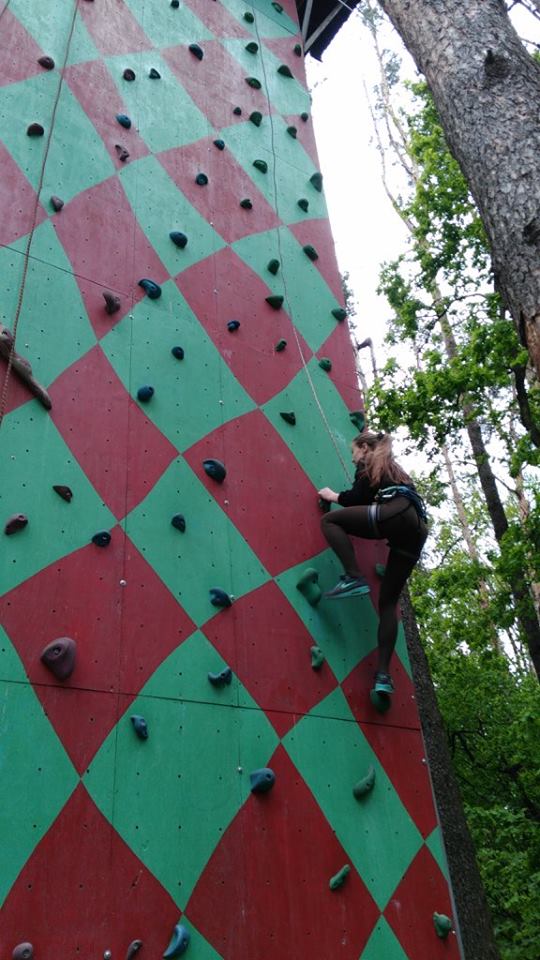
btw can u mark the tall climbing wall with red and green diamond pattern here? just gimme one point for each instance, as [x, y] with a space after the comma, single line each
[176, 143]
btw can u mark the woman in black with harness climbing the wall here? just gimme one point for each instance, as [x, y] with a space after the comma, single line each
[382, 505]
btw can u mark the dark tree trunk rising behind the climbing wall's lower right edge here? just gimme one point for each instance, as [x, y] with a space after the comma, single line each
[471, 905]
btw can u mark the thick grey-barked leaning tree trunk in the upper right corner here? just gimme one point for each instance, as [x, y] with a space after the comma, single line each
[486, 89]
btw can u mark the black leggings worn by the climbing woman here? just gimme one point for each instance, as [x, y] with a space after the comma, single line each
[397, 522]
